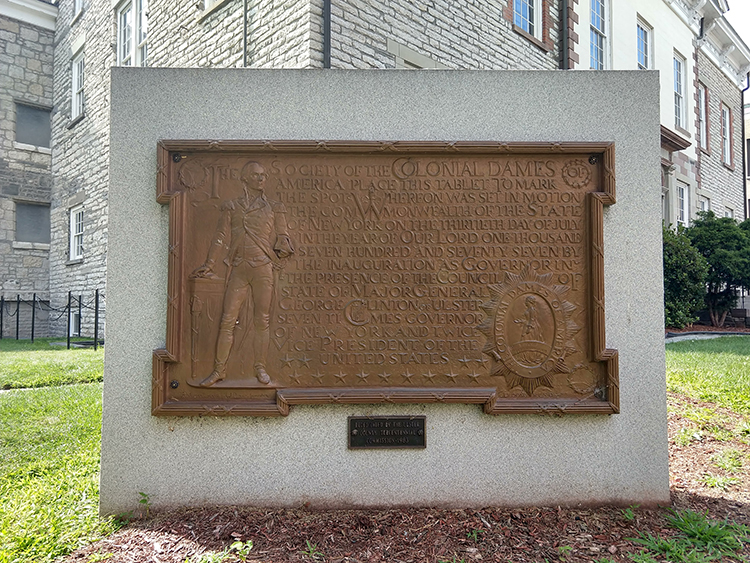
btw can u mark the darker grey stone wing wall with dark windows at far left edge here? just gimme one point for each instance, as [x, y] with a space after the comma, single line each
[26, 52]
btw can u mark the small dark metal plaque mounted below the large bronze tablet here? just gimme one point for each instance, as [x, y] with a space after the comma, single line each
[386, 432]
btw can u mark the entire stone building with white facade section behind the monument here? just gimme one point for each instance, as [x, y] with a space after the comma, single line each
[689, 41]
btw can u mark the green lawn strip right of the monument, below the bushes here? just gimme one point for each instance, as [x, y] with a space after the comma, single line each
[716, 370]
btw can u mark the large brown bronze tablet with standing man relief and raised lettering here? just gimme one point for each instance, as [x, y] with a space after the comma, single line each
[368, 272]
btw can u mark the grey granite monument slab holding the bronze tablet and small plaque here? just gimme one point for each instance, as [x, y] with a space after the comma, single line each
[383, 288]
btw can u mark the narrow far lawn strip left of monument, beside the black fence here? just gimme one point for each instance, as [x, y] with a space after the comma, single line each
[23, 364]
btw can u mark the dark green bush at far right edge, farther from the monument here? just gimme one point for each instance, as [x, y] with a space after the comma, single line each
[726, 247]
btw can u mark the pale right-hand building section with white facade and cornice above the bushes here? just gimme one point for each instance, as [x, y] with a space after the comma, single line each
[704, 66]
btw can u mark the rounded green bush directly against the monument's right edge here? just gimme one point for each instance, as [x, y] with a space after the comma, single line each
[685, 271]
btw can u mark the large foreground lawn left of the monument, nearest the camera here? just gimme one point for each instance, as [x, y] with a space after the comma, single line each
[49, 472]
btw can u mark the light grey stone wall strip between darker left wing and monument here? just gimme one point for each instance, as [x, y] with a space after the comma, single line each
[80, 154]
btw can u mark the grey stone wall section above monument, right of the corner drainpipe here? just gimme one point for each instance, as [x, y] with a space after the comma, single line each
[461, 34]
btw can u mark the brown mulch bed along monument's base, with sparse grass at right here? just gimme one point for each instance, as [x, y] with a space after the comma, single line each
[697, 432]
